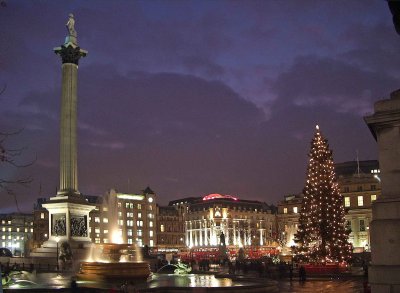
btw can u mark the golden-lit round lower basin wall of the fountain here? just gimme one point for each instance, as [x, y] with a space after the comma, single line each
[139, 271]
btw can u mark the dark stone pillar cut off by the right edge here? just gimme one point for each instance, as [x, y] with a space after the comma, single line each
[384, 272]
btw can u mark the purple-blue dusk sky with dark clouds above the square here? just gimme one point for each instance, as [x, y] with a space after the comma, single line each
[194, 97]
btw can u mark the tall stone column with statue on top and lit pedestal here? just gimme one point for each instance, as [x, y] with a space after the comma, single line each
[69, 210]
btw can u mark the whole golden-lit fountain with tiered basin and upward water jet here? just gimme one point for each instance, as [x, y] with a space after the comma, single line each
[114, 259]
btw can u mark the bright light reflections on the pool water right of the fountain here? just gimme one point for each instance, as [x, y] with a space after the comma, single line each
[192, 280]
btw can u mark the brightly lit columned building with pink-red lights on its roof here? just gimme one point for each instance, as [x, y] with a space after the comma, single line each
[243, 223]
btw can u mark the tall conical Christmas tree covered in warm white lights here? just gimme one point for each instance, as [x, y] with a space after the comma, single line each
[321, 234]
